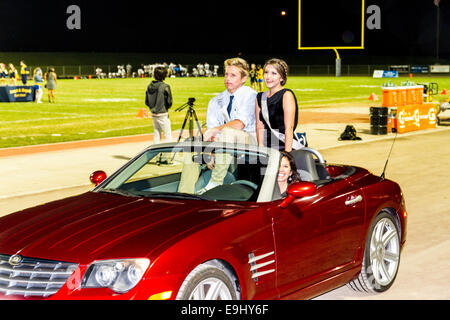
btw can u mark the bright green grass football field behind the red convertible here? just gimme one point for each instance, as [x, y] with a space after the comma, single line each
[90, 109]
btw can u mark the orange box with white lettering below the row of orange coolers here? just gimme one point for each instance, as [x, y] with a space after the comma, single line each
[416, 117]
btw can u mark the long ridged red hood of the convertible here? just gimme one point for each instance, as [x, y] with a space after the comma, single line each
[95, 226]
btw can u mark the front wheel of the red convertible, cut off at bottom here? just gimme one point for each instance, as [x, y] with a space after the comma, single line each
[209, 281]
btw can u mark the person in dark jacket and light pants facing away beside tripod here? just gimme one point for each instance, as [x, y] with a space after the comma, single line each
[159, 99]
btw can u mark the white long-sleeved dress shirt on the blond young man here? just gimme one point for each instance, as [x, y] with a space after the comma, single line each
[242, 108]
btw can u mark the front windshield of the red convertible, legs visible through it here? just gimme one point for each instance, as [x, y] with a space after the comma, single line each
[223, 174]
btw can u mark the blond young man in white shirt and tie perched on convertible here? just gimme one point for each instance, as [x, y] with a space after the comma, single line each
[230, 117]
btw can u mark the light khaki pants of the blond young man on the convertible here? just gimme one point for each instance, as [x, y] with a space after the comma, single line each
[191, 170]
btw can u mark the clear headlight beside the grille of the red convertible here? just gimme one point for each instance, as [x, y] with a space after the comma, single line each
[118, 275]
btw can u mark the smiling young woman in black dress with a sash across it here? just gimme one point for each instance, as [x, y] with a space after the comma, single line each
[282, 108]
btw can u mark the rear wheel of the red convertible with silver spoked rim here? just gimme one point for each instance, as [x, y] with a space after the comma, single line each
[381, 256]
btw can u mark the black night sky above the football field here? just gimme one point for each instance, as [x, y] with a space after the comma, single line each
[407, 27]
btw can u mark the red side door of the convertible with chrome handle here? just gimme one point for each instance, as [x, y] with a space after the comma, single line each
[318, 236]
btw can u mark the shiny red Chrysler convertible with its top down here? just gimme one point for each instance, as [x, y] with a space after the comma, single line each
[136, 236]
